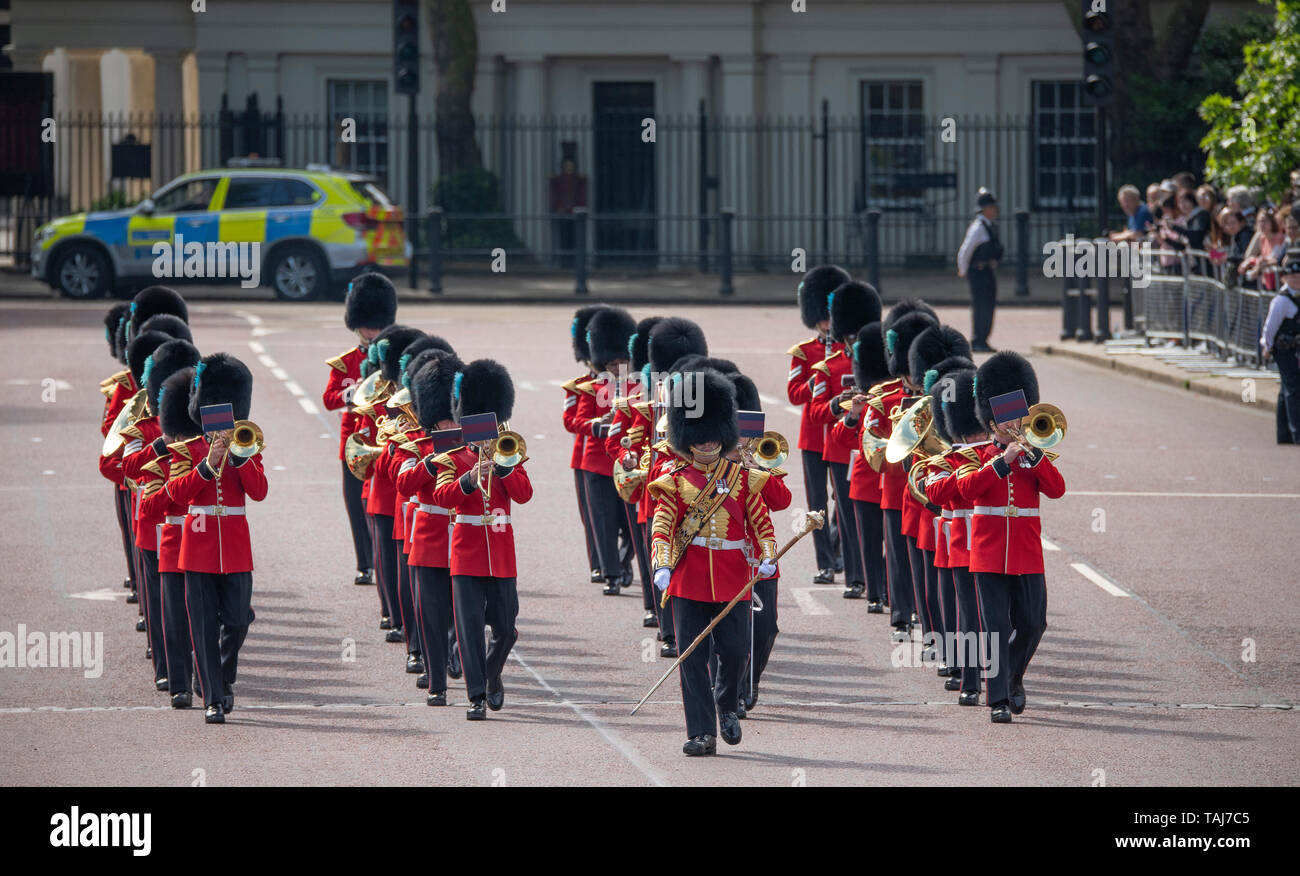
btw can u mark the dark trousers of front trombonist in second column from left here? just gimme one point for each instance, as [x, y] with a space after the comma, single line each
[480, 602]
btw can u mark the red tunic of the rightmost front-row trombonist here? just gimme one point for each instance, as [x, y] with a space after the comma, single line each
[1004, 539]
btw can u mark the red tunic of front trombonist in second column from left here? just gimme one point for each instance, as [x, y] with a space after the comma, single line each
[483, 541]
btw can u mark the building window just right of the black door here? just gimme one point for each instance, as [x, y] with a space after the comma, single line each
[894, 141]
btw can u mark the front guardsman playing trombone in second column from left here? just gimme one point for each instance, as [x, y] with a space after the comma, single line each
[483, 540]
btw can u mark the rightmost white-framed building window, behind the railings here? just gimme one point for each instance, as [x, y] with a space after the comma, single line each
[1065, 144]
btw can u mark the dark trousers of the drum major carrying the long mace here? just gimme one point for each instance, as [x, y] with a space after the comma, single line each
[730, 643]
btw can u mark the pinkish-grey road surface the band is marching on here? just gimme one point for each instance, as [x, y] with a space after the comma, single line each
[1172, 654]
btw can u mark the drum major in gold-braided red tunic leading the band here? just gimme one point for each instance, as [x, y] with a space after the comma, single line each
[710, 530]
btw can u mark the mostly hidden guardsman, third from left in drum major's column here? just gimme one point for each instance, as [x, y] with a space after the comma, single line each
[629, 445]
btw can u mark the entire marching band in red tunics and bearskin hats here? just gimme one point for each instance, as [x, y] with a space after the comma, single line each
[935, 483]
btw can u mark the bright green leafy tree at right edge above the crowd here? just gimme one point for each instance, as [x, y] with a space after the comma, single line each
[1255, 136]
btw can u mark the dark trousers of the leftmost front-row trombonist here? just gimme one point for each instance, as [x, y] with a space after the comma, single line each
[220, 609]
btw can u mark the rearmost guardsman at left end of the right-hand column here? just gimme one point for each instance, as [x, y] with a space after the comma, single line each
[813, 293]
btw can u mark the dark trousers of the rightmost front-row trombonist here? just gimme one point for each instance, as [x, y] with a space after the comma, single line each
[1011, 602]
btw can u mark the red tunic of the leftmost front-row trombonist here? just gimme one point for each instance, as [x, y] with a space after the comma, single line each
[215, 541]
